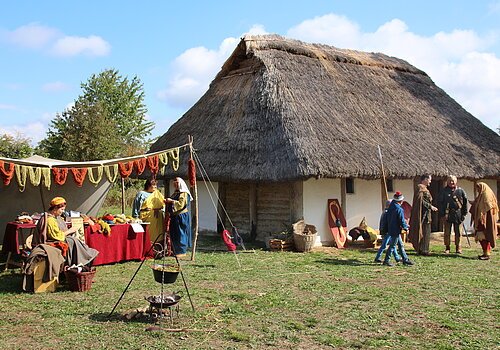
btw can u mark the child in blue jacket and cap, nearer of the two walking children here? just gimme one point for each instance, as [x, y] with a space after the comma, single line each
[394, 221]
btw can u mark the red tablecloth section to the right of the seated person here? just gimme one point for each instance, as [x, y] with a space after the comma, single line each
[122, 245]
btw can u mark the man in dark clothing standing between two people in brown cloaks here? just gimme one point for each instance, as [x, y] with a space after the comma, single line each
[452, 205]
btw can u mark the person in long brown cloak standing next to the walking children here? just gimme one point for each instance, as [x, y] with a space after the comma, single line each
[420, 220]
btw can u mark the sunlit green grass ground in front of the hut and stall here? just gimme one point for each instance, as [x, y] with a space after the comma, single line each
[319, 300]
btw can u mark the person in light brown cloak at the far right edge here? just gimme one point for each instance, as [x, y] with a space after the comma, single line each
[484, 212]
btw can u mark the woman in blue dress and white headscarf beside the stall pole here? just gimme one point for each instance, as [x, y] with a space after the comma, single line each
[180, 221]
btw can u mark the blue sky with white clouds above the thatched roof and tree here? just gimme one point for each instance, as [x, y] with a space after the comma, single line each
[176, 48]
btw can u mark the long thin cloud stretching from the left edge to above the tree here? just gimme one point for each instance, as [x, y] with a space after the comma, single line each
[51, 40]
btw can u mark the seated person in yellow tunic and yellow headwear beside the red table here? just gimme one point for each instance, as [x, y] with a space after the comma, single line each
[76, 252]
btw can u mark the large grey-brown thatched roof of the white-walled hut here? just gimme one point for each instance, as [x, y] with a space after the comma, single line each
[281, 109]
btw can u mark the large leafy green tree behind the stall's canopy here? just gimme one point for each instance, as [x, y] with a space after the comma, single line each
[107, 121]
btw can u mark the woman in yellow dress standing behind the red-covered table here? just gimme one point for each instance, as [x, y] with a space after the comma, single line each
[148, 206]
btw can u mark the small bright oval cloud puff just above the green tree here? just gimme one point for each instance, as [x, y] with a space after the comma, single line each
[73, 46]
